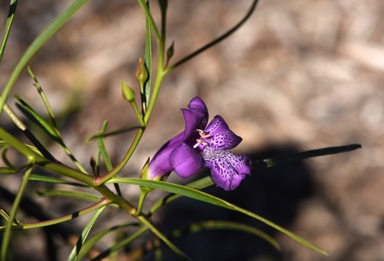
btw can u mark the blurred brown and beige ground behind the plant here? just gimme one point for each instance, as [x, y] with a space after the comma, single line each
[299, 75]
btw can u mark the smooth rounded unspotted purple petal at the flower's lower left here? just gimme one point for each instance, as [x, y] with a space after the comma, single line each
[185, 161]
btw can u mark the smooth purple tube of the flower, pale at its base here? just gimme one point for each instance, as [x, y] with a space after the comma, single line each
[159, 164]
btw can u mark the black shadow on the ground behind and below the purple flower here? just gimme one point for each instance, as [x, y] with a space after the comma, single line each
[273, 193]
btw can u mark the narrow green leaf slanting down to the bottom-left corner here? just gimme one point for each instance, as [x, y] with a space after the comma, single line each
[12, 216]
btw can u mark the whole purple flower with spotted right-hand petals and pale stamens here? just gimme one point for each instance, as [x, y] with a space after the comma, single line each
[200, 145]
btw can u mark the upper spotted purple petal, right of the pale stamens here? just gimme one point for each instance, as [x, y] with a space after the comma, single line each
[221, 137]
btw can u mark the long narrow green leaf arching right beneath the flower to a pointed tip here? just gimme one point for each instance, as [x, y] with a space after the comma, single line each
[202, 196]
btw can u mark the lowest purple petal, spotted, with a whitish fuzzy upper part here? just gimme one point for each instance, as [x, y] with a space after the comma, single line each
[227, 169]
